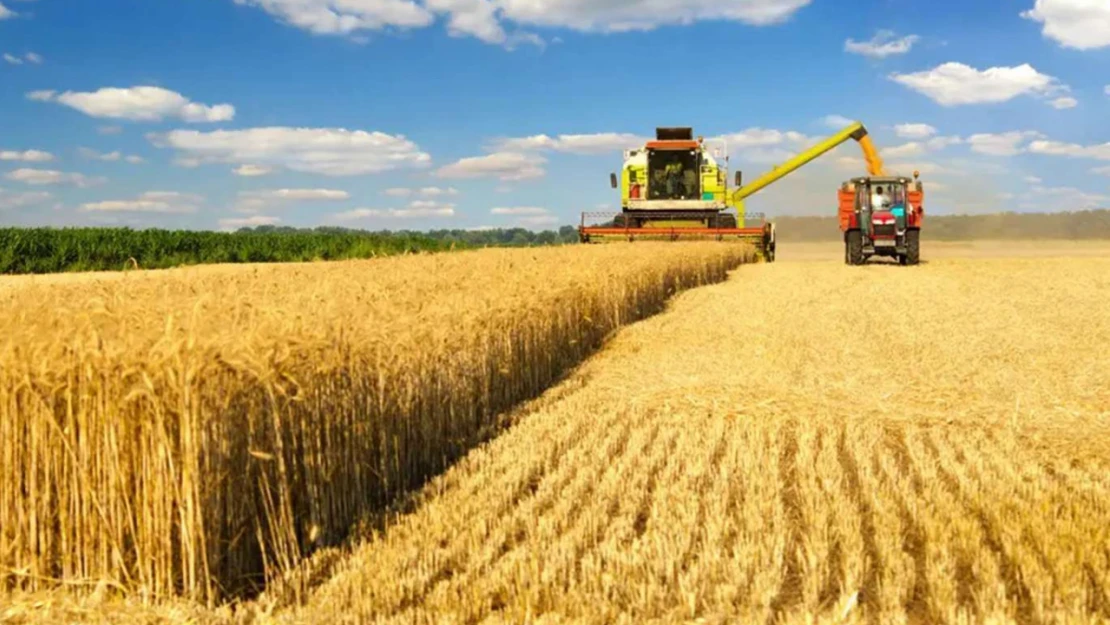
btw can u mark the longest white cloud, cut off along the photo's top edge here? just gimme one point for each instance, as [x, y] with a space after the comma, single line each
[501, 22]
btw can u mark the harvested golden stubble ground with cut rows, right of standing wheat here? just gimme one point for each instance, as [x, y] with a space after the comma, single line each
[804, 443]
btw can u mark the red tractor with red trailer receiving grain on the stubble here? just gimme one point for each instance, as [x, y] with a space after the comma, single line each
[882, 217]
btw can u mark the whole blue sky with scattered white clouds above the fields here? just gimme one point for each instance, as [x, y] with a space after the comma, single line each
[470, 114]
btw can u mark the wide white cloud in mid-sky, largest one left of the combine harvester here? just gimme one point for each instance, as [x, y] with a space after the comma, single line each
[329, 152]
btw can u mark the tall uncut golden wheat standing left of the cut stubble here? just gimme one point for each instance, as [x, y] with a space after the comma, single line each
[184, 432]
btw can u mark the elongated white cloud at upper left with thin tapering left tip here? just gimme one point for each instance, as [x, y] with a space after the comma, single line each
[138, 104]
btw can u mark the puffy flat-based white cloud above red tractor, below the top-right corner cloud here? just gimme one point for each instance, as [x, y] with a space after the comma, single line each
[951, 85]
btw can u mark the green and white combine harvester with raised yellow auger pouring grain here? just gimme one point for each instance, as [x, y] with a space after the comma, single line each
[677, 188]
